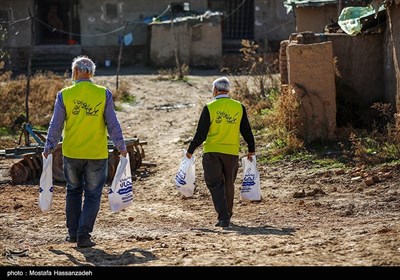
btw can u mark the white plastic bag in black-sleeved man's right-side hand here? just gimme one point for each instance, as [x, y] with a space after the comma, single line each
[251, 189]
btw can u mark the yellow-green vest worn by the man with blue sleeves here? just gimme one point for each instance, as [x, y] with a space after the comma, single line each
[85, 132]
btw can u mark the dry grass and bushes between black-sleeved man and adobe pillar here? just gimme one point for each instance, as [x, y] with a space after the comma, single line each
[272, 112]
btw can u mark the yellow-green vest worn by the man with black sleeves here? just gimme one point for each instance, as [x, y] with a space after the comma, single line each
[224, 132]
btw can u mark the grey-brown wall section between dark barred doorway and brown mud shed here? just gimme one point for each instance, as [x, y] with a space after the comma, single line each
[271, 21]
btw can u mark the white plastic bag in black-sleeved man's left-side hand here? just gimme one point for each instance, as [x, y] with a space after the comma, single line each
[186, 175]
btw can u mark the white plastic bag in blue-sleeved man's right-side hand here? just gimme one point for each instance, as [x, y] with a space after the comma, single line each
[120, 194]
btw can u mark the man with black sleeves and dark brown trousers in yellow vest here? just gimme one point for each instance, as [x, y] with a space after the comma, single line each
[220, 124]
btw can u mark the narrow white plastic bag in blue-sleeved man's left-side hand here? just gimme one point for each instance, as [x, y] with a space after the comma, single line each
[46, 184]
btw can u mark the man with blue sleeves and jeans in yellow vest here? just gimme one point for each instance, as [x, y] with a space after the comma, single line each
[83, 114]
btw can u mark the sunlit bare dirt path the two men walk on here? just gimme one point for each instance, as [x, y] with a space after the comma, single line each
[336, 221]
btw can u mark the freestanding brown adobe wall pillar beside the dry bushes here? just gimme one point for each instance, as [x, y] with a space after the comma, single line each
[311, 71]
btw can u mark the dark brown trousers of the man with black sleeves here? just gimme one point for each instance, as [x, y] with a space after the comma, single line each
[220, 171]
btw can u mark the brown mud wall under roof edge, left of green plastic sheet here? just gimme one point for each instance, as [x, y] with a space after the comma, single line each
[315, 18]
